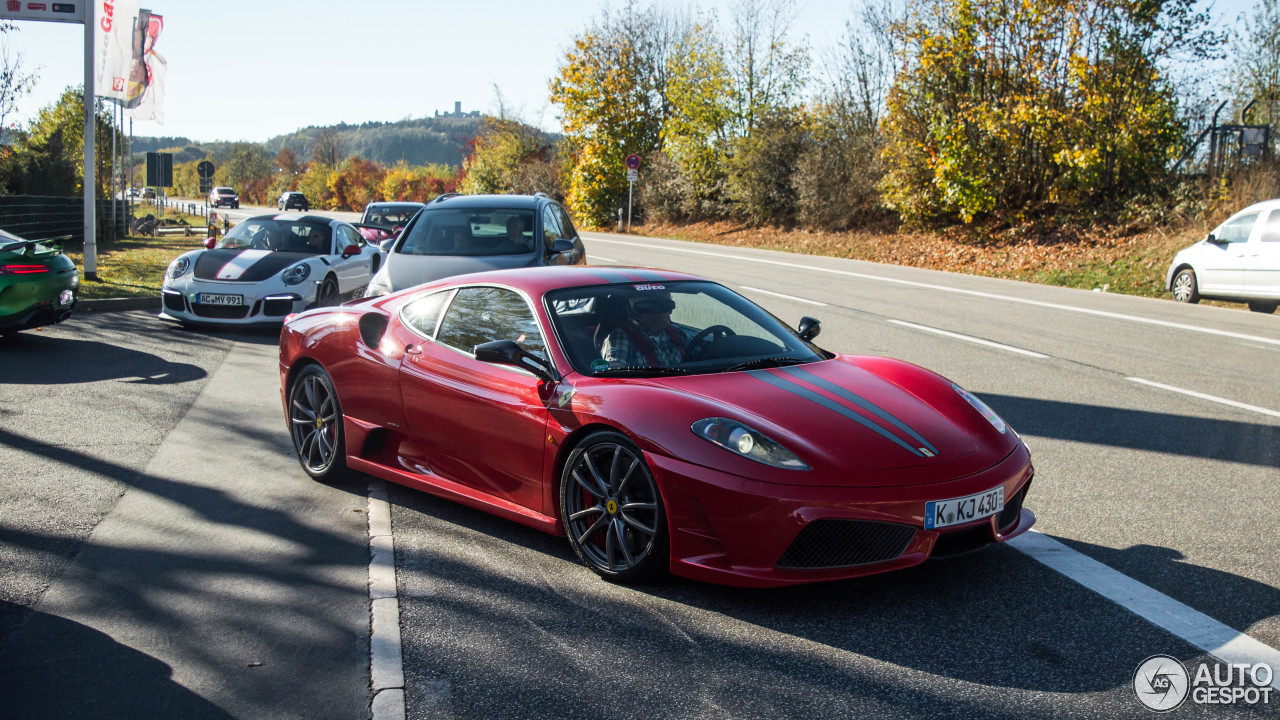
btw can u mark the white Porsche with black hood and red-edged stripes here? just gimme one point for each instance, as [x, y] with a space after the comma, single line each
[268, 267]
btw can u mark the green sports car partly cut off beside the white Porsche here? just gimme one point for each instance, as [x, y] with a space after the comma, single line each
[38, 284]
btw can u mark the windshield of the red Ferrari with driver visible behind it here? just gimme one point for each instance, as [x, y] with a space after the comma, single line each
[670, 329]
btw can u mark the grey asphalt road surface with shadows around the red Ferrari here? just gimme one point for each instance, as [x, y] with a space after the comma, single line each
[156, 527]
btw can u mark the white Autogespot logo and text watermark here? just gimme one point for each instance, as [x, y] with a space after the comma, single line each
[1163, 683]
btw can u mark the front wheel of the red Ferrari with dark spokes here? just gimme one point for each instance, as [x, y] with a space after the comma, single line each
[612, 511]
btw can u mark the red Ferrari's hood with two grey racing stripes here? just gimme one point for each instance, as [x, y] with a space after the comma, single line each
[852, 425]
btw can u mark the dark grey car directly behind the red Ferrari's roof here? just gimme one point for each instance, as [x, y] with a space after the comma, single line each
[469, 234]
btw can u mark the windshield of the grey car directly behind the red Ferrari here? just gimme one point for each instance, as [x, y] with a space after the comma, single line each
[472, 233]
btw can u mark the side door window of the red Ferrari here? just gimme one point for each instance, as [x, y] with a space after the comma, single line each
[486, 315]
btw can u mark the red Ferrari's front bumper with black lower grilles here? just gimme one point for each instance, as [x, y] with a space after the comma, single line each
[738, 532]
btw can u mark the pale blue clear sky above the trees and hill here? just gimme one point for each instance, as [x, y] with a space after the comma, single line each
[252, 71]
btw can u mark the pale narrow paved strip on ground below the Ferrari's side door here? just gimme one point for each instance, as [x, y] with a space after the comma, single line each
[386, 658]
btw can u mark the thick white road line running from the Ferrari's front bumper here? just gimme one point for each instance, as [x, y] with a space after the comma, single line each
[1192, 626]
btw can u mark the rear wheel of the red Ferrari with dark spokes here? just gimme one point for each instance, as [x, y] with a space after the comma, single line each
[316, 426]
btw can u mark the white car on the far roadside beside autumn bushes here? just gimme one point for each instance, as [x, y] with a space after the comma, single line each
[1240, 262]
